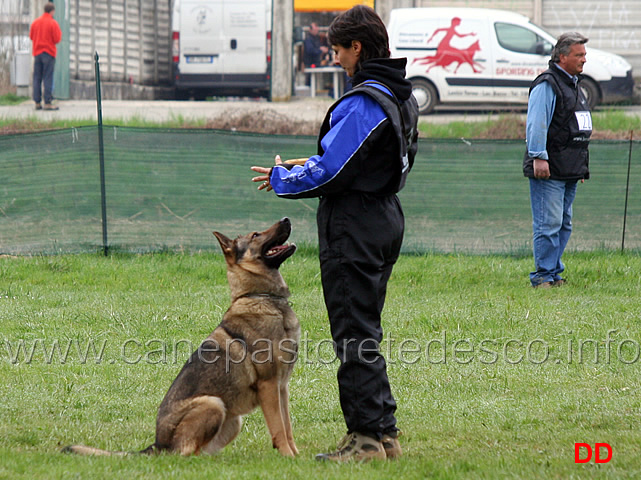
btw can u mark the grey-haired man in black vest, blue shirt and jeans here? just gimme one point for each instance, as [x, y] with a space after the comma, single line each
[558, 131]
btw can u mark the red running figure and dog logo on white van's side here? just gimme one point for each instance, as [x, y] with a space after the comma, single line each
[446, 54]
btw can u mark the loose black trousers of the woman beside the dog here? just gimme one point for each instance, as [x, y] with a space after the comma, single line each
[360, 239]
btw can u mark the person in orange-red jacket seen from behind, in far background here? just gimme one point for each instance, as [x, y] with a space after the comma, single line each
[45, 33]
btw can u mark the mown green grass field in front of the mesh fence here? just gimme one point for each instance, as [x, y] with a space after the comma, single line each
[493, 378]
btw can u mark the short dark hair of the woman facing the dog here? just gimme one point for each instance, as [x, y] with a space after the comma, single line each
[363, 24]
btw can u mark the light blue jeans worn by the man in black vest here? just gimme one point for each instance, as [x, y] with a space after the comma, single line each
[551, 202]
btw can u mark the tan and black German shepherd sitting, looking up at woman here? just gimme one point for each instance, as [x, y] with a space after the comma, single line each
[245, 362]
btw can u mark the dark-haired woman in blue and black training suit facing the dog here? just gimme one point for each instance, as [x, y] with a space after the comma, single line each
[366, 148]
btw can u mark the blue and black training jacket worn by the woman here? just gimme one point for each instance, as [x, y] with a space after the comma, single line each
[366, 144]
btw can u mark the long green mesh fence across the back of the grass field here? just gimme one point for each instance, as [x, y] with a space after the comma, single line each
[170, 188]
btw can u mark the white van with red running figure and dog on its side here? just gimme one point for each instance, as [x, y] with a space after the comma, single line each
[476, 55]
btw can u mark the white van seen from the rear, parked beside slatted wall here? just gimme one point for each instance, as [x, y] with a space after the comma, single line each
[221, 47]
